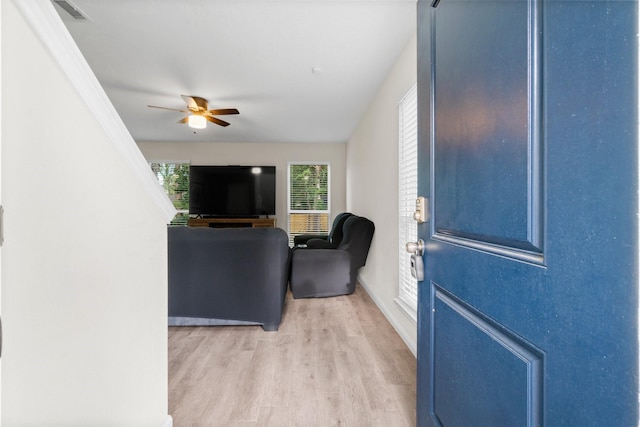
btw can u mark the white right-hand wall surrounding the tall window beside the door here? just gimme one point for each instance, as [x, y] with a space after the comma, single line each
[372, 189]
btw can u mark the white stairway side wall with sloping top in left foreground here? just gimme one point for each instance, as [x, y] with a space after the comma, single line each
[84, 260]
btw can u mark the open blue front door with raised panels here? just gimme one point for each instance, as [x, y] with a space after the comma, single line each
[528, 314]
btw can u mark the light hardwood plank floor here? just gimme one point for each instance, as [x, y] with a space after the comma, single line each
[333, 362]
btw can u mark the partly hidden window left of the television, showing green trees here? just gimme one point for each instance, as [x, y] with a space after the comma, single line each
[174, 178]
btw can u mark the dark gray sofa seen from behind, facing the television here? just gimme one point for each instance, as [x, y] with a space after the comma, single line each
[227, 276]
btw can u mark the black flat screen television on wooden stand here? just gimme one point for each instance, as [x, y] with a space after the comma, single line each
[232, 191]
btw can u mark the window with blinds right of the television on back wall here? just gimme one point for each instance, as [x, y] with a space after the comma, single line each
[308, 199]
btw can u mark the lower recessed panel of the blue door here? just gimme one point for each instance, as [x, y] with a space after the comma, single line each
[510, 395]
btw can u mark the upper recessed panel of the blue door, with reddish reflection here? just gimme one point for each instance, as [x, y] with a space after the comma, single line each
[482, 124]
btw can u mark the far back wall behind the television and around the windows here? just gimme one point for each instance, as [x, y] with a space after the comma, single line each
[268, 154]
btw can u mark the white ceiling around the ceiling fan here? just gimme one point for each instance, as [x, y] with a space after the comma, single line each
[298, 70]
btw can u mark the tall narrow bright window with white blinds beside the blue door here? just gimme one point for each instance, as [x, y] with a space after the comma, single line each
[408, 192]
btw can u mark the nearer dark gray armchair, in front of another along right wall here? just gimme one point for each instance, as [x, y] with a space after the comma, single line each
[332, 272]
